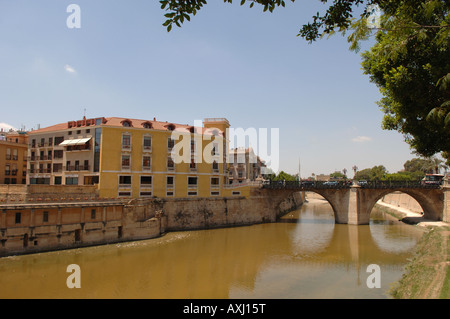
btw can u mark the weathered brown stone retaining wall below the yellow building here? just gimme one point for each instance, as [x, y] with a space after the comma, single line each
[46, 226]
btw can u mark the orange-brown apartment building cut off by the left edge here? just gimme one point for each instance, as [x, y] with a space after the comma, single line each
[13, 157]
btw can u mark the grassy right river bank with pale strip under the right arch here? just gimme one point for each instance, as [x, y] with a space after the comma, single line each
[427, 275]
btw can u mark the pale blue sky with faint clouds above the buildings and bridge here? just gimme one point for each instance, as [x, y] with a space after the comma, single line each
[229, 61]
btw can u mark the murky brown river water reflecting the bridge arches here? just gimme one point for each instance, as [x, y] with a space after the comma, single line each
[304, 255]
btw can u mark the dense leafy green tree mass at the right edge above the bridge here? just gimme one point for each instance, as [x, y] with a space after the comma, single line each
[411, 67]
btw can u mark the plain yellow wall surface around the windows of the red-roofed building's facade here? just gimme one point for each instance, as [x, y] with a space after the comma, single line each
[111, 168]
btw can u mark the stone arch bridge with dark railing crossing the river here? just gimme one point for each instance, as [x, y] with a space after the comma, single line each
[352, 204]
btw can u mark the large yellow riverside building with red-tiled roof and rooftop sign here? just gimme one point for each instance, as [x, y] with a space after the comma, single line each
[130, 158]
